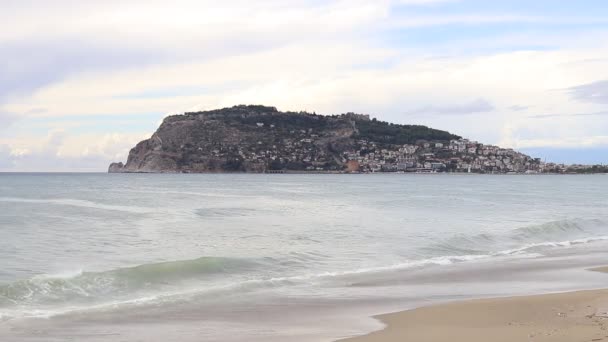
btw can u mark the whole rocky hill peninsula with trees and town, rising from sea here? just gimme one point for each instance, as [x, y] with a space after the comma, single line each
[262, 139]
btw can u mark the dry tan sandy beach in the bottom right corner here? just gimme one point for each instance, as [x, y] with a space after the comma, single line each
[563, 317]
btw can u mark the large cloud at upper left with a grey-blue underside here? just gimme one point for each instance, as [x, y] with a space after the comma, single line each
[48, 44]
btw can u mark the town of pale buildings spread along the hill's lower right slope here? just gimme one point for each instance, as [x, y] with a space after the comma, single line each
[457, 155]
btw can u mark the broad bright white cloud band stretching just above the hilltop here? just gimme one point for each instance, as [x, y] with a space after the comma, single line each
[340, 78]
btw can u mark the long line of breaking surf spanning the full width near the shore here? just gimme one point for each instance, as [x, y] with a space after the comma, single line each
[211, 276]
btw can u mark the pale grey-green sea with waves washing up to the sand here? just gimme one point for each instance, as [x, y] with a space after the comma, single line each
[281, 257]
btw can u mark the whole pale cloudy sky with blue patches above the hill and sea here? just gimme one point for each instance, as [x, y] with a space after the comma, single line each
[81, 82]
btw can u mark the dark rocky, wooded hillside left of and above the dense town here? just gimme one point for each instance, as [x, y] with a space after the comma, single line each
[260, 139]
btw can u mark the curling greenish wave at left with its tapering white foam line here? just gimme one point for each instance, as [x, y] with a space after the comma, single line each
[52, 295]
